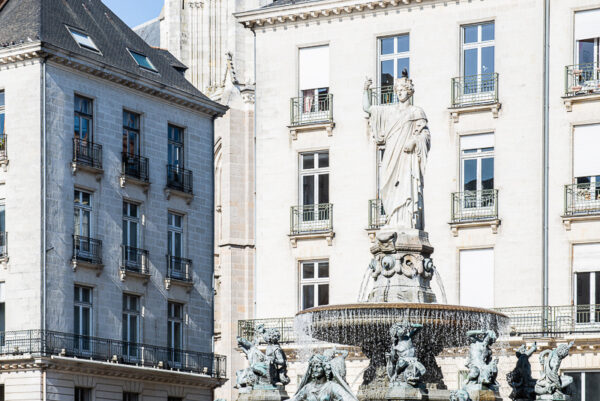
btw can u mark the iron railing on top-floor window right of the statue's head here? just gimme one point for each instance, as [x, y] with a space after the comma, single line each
[474, 89]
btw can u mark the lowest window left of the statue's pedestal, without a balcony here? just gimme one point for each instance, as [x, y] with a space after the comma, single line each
[314, 283]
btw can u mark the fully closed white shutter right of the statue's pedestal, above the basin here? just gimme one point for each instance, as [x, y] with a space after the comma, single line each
[477, 277]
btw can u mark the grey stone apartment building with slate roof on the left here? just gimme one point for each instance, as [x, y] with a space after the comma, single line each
[106, 274]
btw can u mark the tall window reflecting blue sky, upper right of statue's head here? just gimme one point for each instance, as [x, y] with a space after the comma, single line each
[478, 57]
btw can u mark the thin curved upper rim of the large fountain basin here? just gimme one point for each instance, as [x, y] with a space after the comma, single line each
[400, 305]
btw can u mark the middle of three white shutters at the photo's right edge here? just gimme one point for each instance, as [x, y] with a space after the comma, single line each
[586, 142]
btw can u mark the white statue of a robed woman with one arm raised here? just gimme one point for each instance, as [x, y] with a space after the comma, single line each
[402, 128]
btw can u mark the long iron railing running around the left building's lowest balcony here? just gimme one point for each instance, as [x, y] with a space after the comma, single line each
[43, 343]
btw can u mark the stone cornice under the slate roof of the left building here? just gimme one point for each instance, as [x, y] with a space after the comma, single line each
[38, 50]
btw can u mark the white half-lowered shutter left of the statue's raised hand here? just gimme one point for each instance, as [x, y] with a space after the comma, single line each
[314, 67]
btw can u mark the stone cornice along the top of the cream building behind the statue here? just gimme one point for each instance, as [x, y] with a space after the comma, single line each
[315, 10]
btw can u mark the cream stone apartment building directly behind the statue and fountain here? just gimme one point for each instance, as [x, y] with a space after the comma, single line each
[510, 190]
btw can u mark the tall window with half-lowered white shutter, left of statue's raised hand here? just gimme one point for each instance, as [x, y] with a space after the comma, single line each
[314, 78]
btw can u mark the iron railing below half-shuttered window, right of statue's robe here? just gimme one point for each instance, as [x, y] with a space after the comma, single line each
[474, 205]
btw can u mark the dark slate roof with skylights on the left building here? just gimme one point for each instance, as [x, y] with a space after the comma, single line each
[24, 21]
